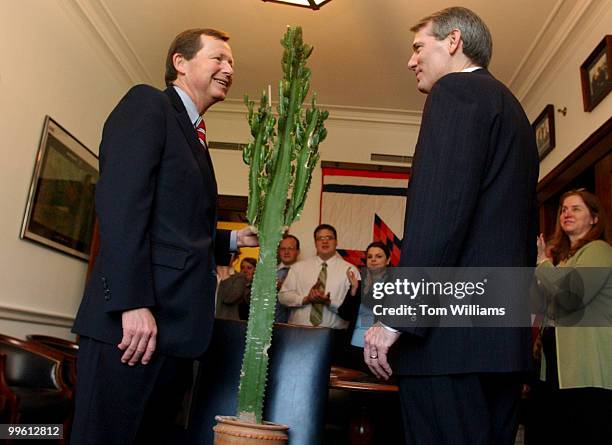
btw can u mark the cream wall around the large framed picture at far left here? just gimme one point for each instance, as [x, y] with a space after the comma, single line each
[50, 64]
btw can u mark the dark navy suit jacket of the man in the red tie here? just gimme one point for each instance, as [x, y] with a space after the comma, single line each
[156, 201]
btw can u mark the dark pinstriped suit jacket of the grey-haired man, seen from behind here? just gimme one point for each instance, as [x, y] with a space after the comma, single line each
[471, 202]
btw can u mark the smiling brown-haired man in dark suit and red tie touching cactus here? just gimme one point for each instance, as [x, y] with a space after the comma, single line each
[148, 307]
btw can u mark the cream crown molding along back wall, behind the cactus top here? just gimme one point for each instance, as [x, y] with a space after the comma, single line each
[339, 113]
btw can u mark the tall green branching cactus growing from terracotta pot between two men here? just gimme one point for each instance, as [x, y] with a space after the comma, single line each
[281, 156]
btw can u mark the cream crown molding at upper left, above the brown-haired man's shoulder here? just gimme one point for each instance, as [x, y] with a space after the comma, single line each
[96, 17]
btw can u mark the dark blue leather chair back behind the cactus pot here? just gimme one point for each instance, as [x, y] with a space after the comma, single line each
[297, 385]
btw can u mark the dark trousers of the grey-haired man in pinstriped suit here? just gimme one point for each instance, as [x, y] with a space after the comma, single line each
[462, 409]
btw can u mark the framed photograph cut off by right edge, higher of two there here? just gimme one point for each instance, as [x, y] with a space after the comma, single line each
[595, 74]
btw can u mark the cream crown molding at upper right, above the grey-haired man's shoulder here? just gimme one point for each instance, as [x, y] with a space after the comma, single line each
[562, 28]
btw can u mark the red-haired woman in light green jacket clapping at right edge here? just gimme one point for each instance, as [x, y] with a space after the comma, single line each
[577, 360]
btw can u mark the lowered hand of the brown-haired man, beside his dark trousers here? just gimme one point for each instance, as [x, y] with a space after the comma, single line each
[139, 336]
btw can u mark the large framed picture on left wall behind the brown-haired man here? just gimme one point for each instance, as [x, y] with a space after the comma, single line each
[60, 210]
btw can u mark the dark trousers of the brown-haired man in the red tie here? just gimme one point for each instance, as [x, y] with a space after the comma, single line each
[121, 404]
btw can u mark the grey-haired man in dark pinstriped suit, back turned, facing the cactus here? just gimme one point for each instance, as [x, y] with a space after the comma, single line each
[471, 202]
